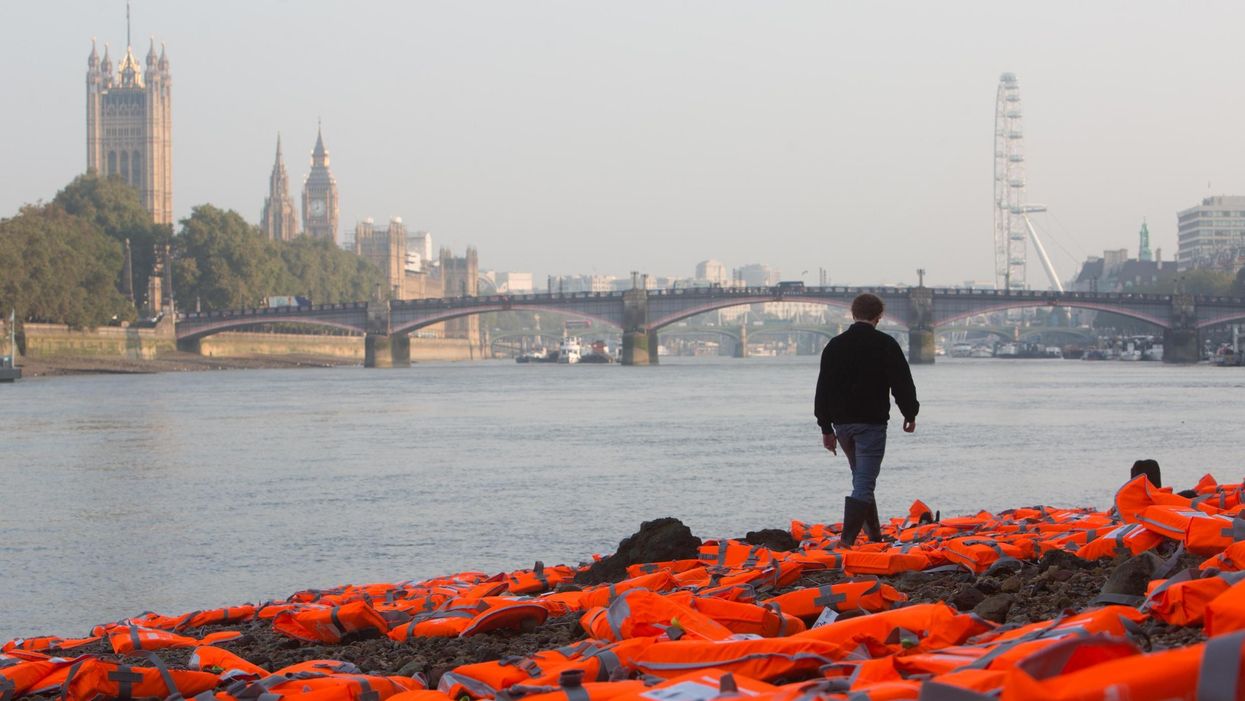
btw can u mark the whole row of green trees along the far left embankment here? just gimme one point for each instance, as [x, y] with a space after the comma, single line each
[65, 261]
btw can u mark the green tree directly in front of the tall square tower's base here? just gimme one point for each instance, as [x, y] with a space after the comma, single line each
[116, 209]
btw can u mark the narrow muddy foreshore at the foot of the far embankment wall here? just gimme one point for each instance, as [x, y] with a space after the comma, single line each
[42, 368]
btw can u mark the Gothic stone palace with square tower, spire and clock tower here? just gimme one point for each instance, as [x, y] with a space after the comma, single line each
[130, 135]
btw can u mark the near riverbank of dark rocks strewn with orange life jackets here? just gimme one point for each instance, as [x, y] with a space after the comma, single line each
[987, 603]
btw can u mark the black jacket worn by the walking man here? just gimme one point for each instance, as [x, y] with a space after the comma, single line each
[860, 369]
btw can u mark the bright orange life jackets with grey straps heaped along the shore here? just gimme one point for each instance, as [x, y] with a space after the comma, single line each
[729, 623]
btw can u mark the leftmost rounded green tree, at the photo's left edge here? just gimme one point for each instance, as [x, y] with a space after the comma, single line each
[59, 268]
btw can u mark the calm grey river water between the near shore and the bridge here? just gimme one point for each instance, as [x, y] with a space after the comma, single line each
[186, 491]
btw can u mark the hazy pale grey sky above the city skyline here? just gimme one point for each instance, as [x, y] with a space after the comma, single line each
[577, 138]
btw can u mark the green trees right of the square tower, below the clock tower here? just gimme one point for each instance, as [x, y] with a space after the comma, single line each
[221, 262]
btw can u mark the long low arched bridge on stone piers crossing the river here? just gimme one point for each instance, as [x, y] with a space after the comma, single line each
[641, 314]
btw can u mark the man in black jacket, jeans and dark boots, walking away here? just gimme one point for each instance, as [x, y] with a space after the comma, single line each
[860, 369]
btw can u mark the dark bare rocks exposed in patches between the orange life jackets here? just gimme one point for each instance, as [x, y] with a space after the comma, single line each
[1012, 593]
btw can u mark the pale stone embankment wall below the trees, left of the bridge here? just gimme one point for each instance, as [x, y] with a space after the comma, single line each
[58, 341]
